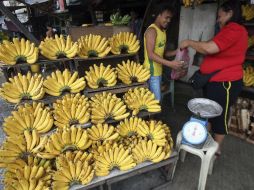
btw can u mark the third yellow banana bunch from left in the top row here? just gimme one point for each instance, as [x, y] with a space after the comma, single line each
[93, 46]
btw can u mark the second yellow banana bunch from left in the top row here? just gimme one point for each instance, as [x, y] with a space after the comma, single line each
[54, 48]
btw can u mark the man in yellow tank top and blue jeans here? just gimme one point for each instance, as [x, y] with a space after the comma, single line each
[154, 44]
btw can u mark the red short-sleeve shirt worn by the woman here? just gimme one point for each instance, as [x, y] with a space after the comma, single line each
[232, 41]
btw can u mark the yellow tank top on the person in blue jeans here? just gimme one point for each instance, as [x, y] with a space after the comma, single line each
[160, 43]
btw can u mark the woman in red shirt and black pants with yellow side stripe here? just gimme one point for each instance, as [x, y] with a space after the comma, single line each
[224, 53]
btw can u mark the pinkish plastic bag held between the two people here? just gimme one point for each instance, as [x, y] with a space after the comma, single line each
[181, 55]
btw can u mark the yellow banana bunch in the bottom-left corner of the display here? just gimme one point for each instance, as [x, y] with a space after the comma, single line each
[33, 174]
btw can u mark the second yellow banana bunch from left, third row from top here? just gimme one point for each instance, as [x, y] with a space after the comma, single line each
[71, 109]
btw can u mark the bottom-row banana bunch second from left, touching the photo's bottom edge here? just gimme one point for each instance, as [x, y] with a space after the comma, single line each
[72, 169]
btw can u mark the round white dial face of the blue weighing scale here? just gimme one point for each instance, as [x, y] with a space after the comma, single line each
[194, 132]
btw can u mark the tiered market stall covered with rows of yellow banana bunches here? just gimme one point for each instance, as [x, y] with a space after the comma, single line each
[76, 116]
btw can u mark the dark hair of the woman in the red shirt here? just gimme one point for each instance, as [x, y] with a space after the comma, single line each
[235, 7]
